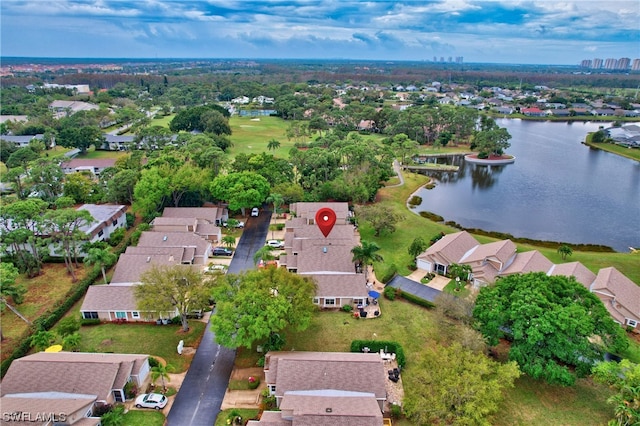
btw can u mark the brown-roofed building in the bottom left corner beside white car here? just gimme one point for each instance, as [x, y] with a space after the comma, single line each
[68, 388]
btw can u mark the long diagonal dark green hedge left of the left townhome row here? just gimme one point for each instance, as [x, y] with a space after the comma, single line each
[48, 319]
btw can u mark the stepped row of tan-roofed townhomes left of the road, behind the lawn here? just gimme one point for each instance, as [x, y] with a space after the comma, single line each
[181, 236]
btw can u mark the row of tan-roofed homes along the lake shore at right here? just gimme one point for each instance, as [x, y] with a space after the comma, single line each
[490, 261]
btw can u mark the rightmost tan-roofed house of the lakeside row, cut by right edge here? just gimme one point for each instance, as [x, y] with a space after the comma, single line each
[620, 296]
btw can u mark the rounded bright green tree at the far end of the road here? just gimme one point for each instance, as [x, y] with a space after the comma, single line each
[241, 190]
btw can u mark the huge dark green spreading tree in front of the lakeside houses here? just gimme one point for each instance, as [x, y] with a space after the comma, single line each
[553, 323]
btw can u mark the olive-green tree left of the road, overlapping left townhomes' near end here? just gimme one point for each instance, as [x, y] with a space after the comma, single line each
[179, 287]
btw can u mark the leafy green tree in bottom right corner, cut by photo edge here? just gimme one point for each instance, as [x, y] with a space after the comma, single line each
[624, 378]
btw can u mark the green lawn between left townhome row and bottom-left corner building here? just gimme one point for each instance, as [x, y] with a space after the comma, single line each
[155, 340]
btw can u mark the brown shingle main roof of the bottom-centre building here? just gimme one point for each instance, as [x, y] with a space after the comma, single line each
[349, 371]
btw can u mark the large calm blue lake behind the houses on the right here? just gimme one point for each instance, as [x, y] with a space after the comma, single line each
[558, 189]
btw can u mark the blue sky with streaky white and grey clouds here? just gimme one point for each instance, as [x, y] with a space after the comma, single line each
[510, 31]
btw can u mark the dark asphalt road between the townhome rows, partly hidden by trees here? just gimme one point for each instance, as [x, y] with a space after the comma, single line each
[200, 397]
